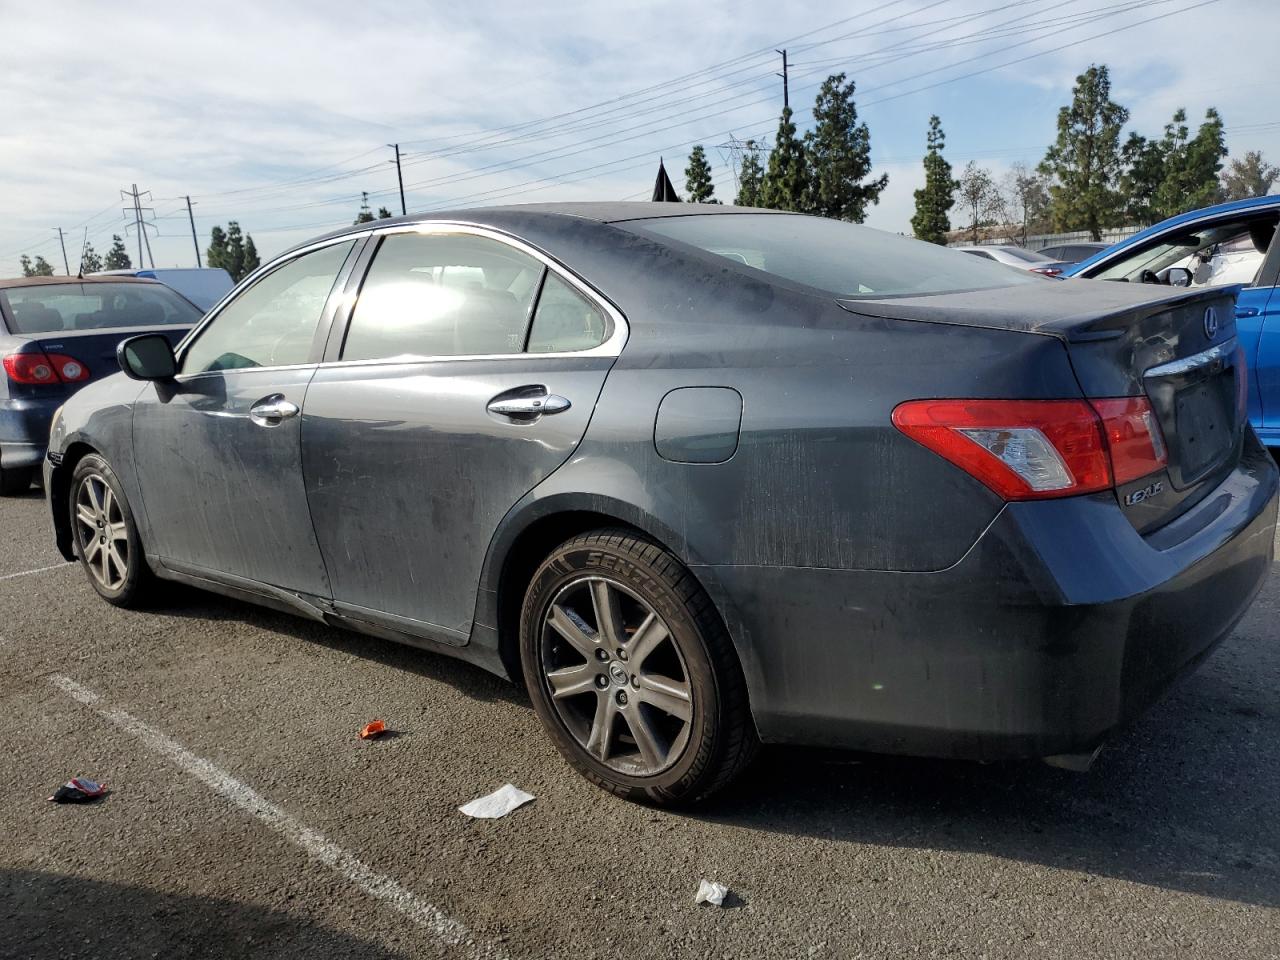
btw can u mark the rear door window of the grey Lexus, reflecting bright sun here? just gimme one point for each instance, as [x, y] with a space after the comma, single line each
[444, 296]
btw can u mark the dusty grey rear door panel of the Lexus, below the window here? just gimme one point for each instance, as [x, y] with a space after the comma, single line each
[409, 474]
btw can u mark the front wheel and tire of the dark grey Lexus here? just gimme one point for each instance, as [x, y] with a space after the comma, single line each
[107, 536]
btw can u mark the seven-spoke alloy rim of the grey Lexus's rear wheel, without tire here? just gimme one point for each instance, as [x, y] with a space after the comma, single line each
[616, 676]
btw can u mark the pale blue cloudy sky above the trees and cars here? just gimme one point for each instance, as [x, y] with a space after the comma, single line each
[278, 116]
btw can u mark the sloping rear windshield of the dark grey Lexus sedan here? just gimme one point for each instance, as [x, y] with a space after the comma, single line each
[835, 257]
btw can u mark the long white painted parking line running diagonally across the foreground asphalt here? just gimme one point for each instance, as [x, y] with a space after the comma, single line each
[360, 875]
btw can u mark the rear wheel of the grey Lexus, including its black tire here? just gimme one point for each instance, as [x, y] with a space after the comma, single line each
[633, 673]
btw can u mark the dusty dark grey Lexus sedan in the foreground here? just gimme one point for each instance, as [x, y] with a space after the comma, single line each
[701, 477]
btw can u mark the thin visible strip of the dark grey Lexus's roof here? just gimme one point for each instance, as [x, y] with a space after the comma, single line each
[602, 213]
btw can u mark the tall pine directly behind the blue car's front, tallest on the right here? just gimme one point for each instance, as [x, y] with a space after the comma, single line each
[1086, 162]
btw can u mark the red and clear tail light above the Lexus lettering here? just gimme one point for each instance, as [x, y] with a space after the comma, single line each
[1035, 450]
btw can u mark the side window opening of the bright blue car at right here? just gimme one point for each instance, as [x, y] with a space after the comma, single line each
[1217, 255]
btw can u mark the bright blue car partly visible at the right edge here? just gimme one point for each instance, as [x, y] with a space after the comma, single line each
[1224, 245]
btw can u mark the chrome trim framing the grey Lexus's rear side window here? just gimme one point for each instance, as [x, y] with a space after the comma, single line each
[610, 348]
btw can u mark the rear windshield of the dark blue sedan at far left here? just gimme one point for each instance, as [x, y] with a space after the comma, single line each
[94, 307]
